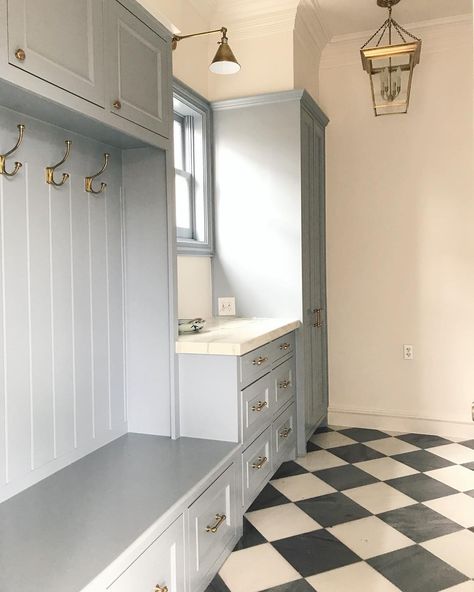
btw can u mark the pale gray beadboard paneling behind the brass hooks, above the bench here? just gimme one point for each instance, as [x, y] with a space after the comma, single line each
[62, 387]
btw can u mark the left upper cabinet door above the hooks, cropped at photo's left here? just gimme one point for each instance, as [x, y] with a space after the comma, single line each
[60, 41]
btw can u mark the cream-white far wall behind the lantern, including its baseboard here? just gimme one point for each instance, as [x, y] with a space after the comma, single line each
[400, 216]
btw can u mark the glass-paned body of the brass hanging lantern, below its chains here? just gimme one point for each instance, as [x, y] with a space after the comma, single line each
[390, 69]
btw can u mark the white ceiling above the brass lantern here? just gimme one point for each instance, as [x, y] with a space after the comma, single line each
[343, 17]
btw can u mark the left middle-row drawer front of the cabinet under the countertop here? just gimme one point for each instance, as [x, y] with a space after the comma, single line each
[257, 406]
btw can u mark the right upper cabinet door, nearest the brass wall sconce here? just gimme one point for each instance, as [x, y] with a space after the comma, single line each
[139, 70]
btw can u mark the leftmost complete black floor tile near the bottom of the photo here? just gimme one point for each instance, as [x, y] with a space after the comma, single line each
[315, 552]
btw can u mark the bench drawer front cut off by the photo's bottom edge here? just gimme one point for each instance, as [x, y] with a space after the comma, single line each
[159, 567]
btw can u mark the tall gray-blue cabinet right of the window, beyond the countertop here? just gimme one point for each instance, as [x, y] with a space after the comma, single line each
[270, 226]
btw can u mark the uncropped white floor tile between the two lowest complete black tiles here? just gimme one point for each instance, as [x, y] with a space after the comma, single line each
[370, 537]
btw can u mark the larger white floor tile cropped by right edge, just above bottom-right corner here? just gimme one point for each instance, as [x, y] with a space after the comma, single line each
[457, 549]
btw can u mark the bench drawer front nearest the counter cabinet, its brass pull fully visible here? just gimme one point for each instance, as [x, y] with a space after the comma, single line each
[212, 526]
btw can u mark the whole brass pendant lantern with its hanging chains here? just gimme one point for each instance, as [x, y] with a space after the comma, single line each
[390, 66]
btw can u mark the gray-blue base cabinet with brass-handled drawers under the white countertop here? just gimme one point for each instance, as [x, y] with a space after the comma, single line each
[248, 399]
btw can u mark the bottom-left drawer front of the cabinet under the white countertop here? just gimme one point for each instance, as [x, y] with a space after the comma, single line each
[256, 466]
